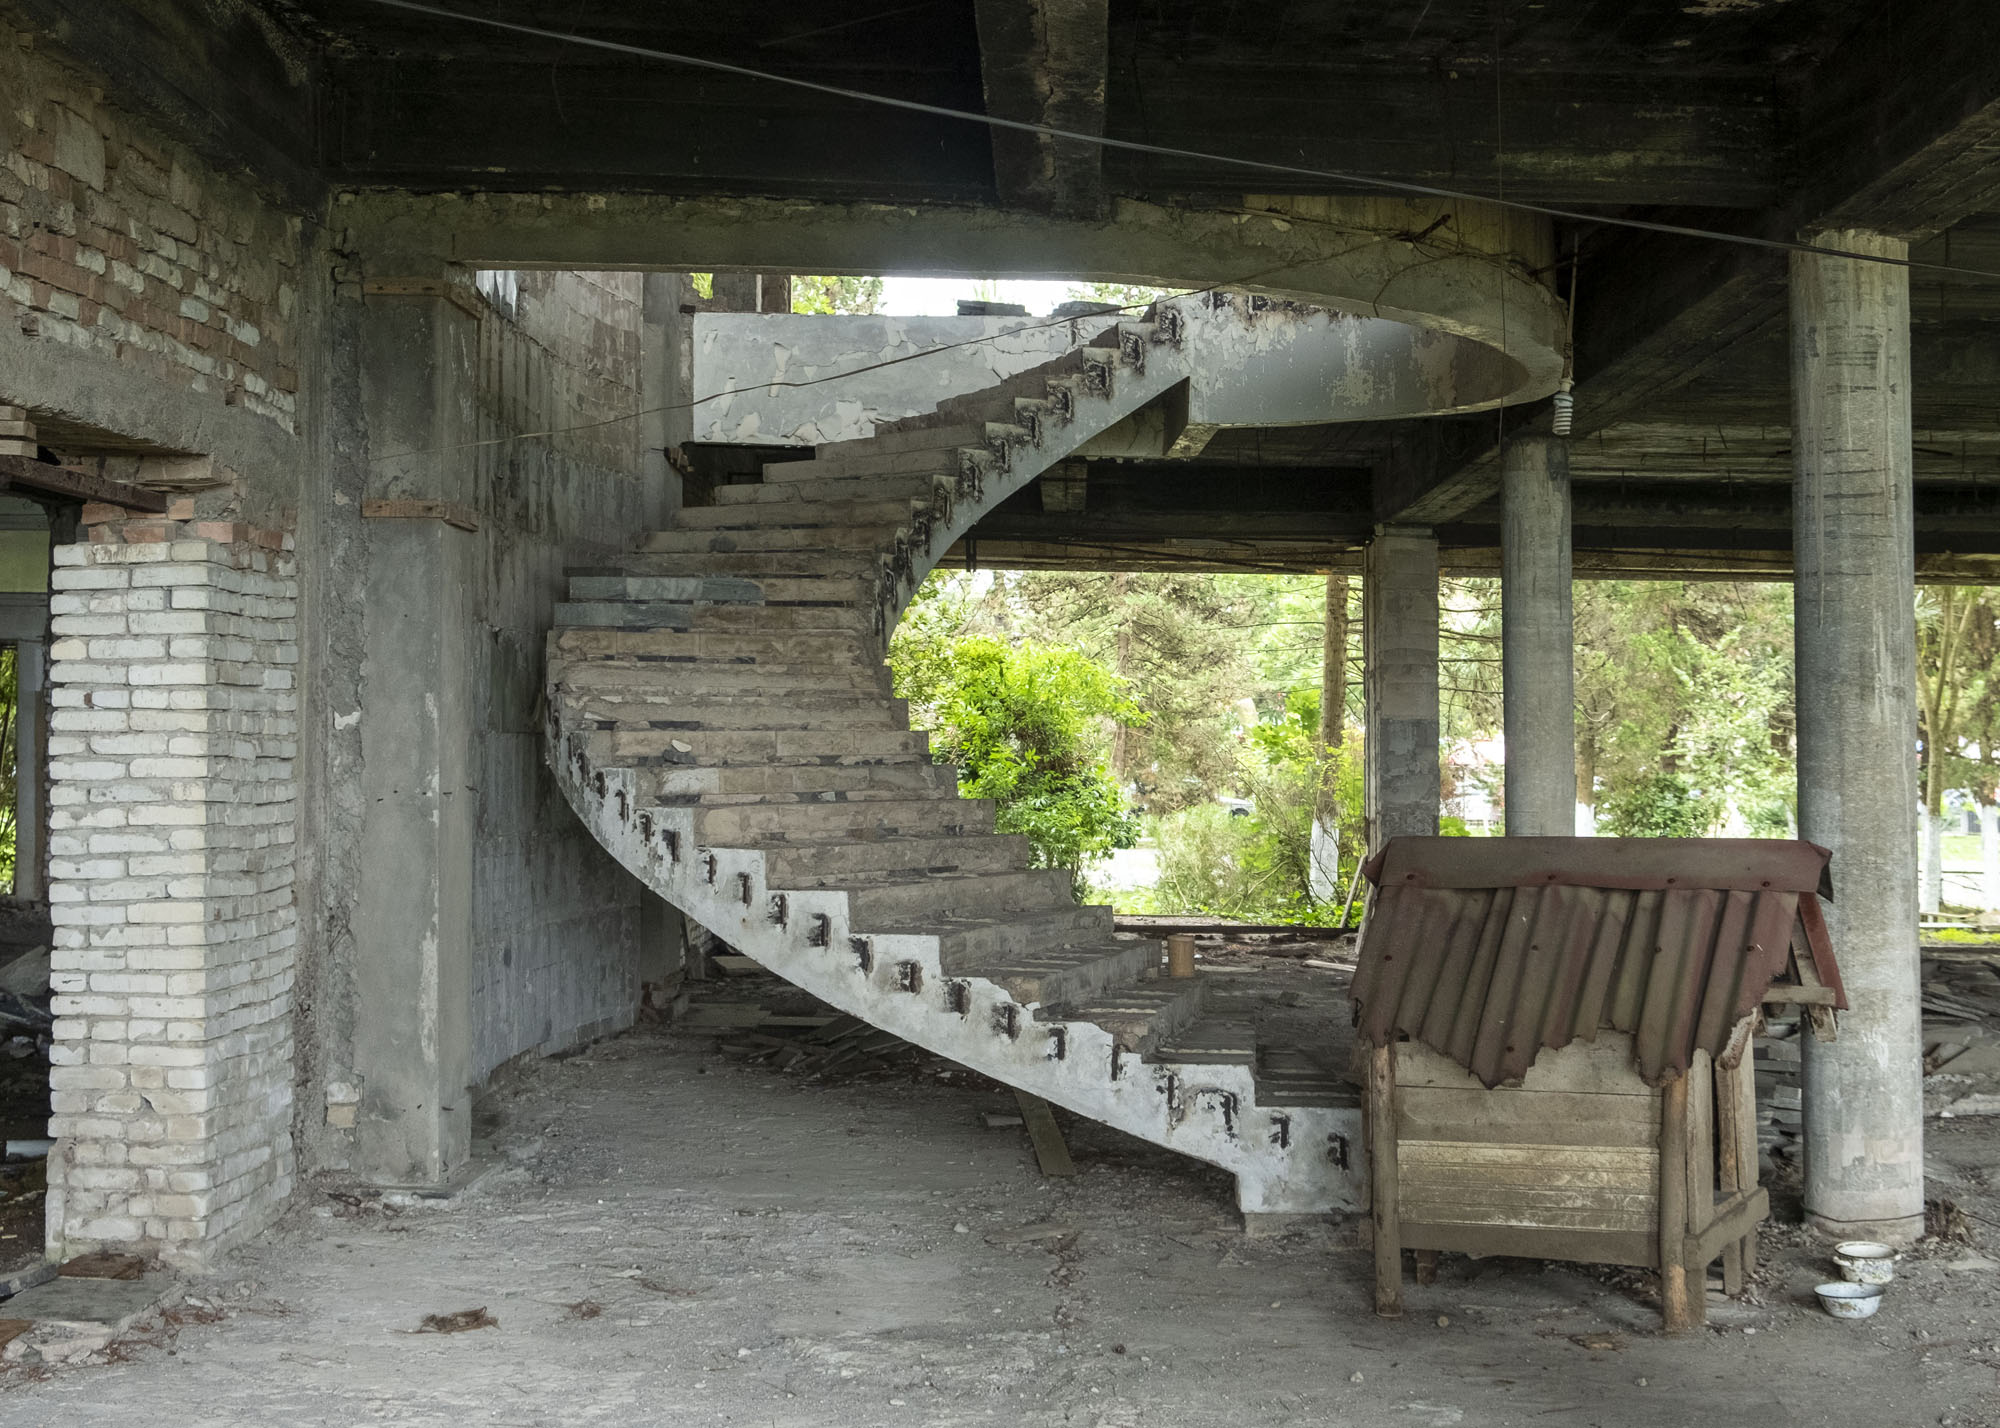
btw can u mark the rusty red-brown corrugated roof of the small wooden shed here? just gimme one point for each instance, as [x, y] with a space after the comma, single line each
[1493, 949]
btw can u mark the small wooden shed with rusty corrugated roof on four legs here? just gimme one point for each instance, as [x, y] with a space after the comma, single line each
[1559, 1041]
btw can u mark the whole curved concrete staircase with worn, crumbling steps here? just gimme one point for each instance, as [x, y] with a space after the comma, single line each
[723, 719]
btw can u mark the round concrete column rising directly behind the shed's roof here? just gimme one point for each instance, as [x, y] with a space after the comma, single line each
[1537, 639]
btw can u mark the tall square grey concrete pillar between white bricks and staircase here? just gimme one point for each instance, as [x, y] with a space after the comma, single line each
[413, 921]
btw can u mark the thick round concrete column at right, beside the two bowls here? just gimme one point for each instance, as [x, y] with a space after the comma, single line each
[1857, 727]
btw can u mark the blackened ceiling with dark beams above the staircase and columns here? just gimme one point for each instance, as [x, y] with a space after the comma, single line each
[1749, 117]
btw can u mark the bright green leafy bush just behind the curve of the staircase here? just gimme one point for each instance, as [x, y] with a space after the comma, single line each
[1027, 727]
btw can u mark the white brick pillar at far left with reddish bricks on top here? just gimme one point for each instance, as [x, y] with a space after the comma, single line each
[173, 735]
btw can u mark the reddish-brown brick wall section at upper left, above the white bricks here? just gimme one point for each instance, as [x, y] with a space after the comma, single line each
[125, 245]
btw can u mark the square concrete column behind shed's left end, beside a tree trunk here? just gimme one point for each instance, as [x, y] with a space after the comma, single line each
[1401, 683]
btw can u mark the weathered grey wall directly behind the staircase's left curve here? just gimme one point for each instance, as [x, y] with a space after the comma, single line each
[555, 919]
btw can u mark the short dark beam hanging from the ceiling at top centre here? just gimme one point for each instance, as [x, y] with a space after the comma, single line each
[1043, 63]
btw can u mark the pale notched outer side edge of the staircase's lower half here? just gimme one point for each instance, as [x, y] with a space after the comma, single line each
[1285, 1159]
